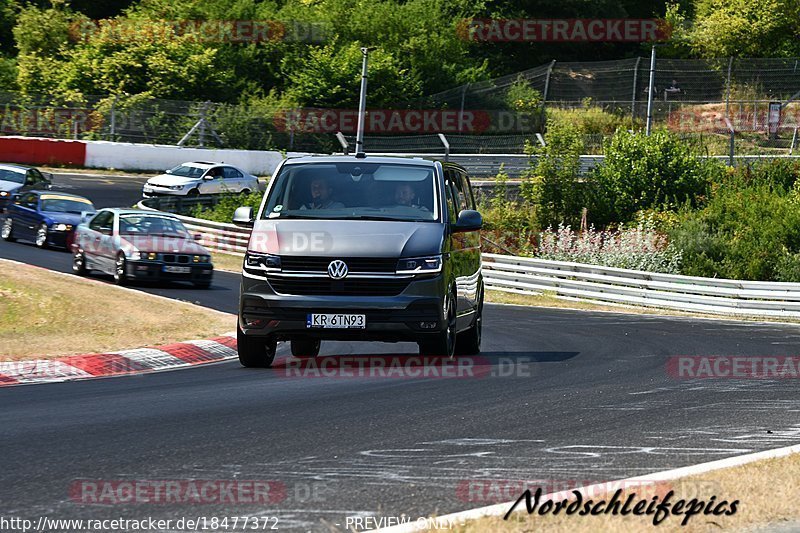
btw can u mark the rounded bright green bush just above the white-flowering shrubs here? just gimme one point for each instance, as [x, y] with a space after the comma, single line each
[641, 172]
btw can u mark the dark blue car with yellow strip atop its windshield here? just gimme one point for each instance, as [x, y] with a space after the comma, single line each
[46, 218]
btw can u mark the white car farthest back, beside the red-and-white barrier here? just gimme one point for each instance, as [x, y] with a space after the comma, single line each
[200, 177]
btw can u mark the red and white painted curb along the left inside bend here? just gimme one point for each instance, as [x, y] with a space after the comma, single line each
[125, 362]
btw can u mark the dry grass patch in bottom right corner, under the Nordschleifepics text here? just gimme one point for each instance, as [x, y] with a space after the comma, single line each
[765, 490]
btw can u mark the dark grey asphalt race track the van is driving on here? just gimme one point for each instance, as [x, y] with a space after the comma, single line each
[564, 397]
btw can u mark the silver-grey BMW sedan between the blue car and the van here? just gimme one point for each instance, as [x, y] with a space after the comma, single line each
[132, 244]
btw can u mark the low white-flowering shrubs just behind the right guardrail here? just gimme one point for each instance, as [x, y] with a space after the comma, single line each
[638, 247]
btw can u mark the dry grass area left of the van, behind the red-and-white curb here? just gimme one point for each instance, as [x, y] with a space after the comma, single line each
[45, 315]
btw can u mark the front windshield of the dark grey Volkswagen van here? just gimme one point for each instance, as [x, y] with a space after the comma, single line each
[354, 191]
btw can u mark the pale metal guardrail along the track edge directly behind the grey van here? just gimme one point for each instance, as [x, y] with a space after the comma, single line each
[523, 275]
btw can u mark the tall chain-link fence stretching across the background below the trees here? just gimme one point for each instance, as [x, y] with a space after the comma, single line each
[719, 105]
